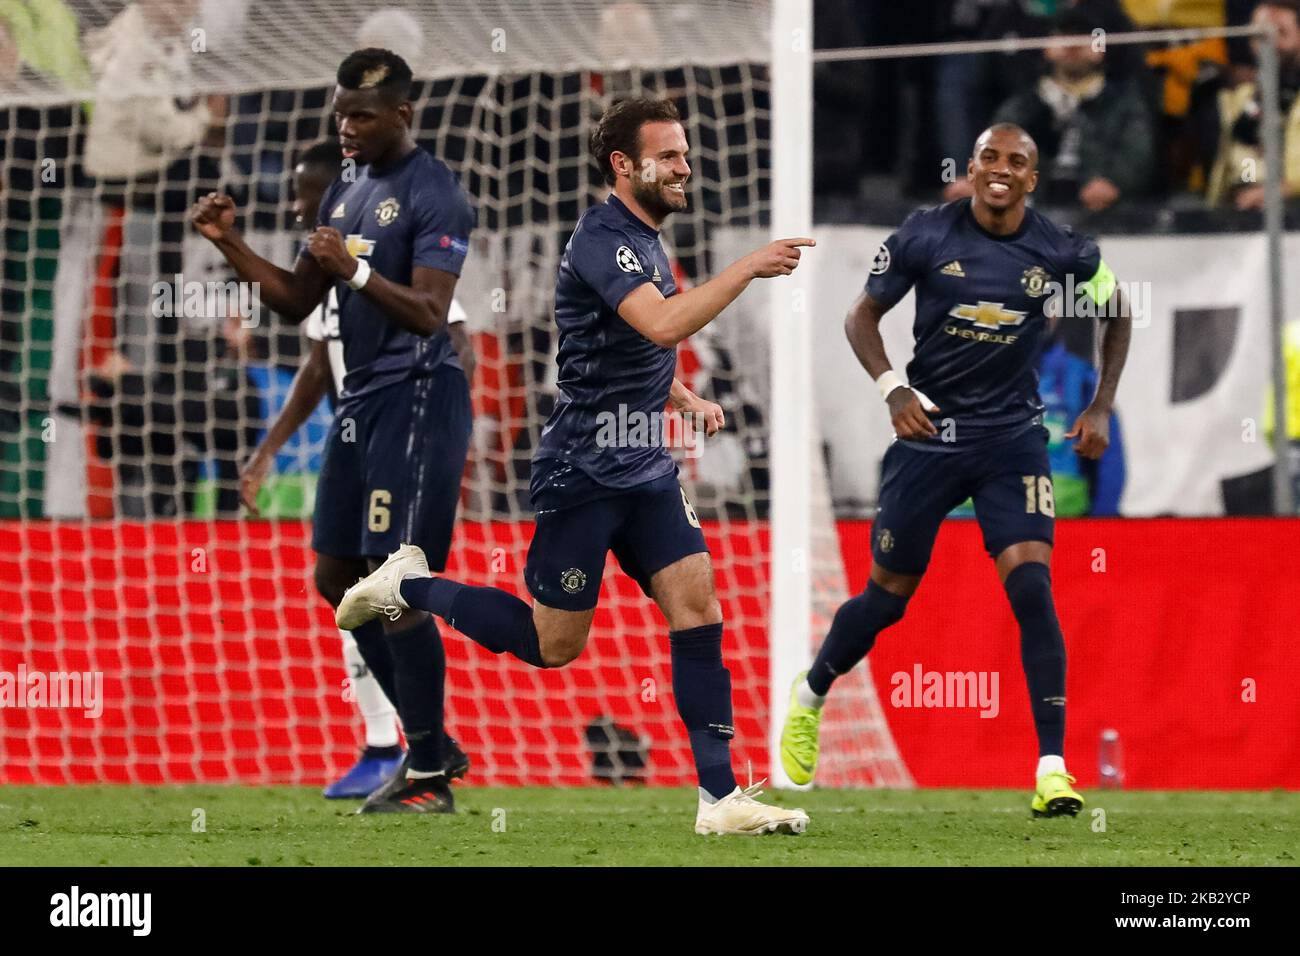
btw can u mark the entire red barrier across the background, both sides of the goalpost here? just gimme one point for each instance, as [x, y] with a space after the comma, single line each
[231, 673]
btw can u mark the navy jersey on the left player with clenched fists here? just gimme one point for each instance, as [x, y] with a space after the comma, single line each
[414, 214]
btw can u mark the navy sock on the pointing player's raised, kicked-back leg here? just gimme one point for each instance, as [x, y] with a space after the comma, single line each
[492, 618]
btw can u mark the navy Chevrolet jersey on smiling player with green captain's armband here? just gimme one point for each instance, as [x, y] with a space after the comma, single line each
[981, 325]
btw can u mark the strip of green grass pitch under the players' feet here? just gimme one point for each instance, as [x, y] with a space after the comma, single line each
[293, 827]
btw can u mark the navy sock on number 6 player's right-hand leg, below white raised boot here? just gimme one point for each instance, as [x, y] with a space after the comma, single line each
[419, 668]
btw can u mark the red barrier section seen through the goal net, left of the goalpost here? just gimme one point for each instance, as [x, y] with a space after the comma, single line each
[222, 664]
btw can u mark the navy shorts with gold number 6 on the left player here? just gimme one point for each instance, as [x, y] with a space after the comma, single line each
[392, 470]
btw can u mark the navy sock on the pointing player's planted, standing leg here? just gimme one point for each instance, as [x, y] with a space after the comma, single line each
[701, 686]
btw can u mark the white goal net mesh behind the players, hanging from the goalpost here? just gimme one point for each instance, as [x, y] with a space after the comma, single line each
[127, 560]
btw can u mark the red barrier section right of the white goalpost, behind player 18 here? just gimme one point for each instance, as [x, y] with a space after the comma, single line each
[1164, 646]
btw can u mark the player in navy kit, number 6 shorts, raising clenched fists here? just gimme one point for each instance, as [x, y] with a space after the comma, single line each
[391, 239]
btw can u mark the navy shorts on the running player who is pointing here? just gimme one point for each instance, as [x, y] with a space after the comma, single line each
[648, 527]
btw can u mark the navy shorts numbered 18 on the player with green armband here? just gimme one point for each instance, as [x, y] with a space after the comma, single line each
[1009, 482]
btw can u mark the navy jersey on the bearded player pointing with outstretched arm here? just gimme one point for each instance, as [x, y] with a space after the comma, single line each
[614, 383]
